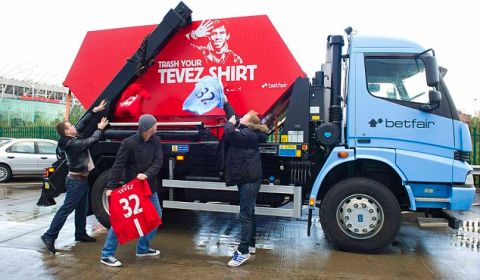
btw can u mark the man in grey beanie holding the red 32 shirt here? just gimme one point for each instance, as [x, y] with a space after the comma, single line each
[140, 156]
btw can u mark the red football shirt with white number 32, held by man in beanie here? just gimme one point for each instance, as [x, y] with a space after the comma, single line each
[132, 214]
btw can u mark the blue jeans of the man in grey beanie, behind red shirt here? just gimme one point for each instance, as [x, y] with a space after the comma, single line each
[143, 243]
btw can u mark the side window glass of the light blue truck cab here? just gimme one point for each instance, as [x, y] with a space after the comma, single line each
[397, 78]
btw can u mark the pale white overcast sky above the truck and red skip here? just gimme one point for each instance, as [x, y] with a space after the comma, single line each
[40, 39]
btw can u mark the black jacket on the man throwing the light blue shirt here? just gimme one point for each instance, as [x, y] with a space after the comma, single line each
[242, 156]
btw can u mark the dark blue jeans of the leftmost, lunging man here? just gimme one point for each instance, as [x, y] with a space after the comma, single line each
[76, 199]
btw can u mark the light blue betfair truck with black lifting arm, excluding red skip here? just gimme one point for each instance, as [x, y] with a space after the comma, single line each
[375, 132]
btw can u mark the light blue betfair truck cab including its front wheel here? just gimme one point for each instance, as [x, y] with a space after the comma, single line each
[402, 146]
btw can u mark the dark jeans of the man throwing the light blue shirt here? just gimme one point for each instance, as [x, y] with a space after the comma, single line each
[248, 198]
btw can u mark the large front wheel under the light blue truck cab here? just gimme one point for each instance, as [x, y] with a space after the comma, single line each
[360, 215]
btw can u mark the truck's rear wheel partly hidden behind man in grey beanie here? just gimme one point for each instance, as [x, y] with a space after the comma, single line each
[99, 199]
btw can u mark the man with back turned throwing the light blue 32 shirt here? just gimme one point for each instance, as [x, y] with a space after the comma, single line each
[243, 167]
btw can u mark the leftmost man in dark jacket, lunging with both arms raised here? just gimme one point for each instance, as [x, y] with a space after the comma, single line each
[80, 163]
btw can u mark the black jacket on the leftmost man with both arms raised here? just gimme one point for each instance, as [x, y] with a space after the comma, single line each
[76, 148]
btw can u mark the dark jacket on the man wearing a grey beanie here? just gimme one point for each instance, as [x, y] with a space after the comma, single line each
[137, 156]
